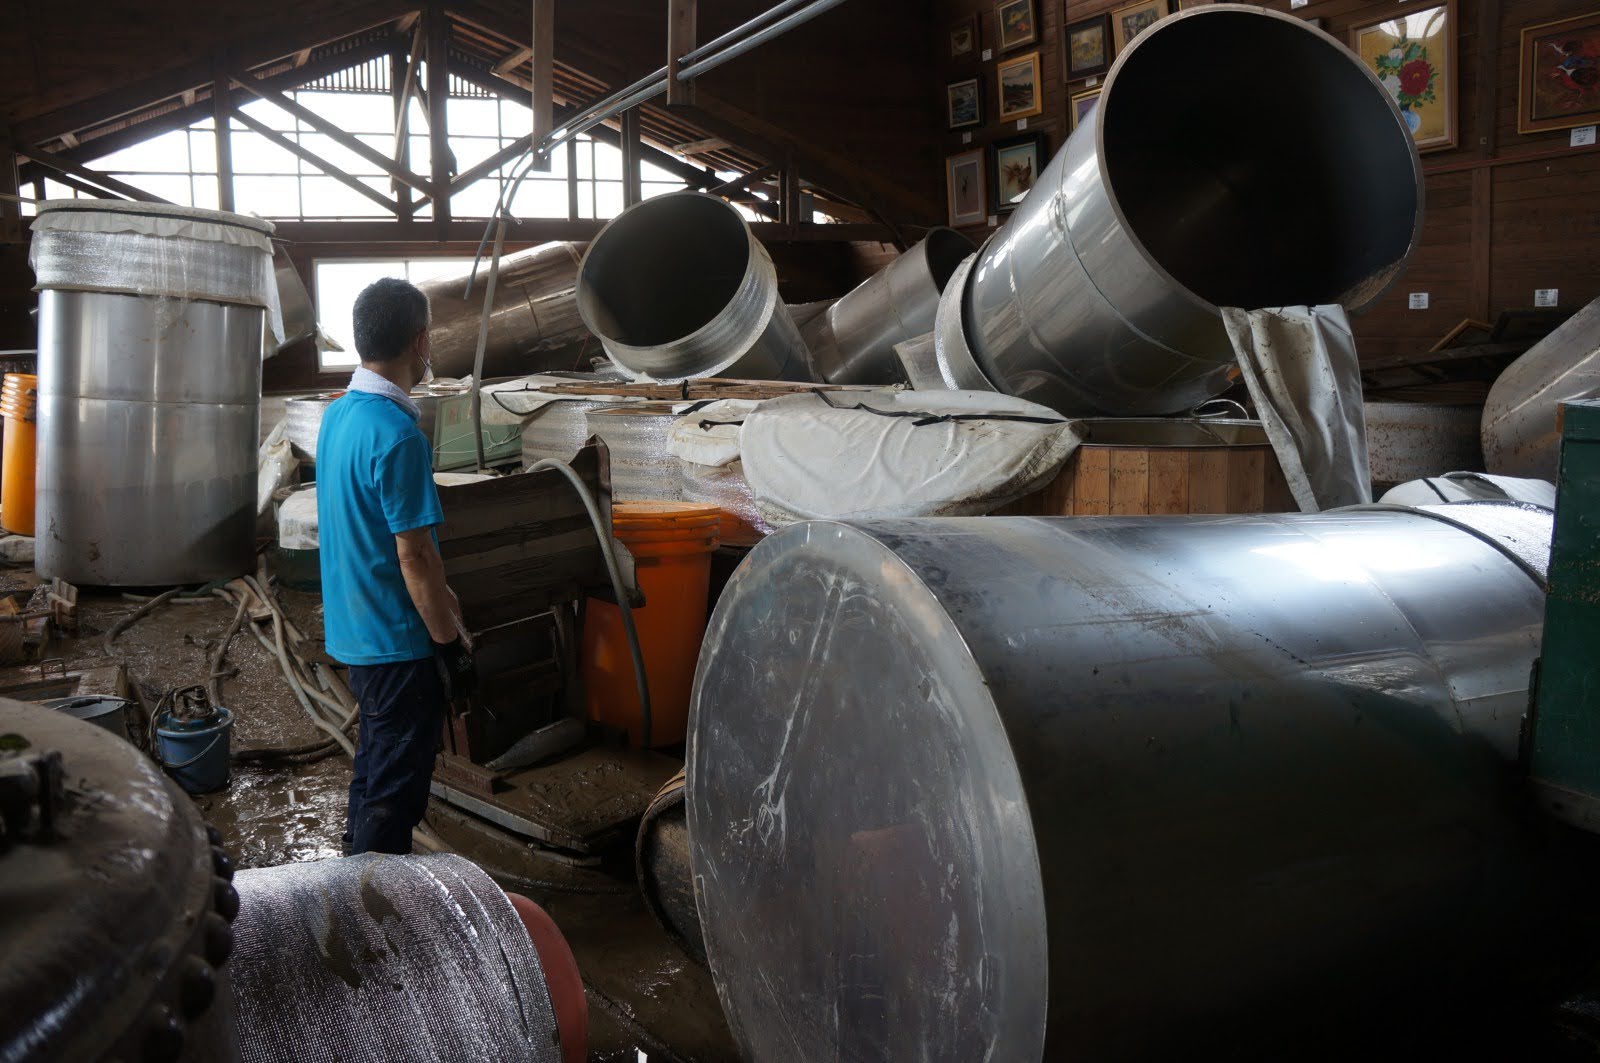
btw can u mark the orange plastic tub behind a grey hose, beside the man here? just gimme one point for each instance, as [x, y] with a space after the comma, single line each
[671, 545]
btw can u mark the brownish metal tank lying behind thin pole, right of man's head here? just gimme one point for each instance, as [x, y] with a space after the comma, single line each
[535, 323]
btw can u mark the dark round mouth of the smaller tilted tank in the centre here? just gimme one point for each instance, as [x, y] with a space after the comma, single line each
[663, 270]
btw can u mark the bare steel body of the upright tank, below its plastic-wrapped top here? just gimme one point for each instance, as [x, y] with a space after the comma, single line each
[150, 419]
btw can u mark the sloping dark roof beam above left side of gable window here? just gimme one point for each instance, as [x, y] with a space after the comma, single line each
[334, 23]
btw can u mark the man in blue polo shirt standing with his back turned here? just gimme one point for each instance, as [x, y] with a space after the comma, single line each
[388, 612]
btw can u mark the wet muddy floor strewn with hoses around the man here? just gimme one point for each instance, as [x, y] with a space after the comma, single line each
[647, 1000]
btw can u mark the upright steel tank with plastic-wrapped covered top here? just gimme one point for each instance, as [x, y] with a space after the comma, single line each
[151, 324]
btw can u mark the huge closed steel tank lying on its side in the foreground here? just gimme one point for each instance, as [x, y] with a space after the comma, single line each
[1121, 788]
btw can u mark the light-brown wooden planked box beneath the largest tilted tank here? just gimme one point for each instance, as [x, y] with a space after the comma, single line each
[1137, 467]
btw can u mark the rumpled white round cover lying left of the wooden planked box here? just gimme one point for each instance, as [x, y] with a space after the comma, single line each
[809, 460]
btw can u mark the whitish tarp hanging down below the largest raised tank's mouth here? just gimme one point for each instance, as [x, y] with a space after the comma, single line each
[1302, 371]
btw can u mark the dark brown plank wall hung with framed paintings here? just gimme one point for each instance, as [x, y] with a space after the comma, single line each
[1506, 214]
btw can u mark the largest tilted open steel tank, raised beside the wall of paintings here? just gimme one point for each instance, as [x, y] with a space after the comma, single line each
[1102, 292]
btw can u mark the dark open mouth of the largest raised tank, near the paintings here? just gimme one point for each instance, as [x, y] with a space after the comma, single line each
[1223, 185]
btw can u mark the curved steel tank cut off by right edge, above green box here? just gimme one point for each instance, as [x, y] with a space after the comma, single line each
[1521, 428]
